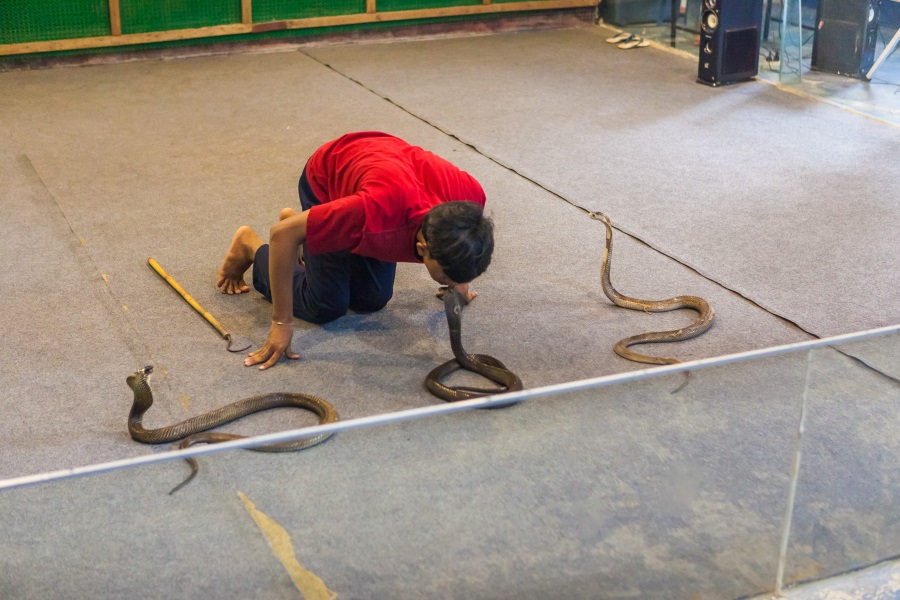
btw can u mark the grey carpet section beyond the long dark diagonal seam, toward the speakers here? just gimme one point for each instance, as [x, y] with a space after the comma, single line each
[732, 215]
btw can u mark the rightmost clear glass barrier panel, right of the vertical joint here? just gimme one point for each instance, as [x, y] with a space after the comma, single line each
[845, 514]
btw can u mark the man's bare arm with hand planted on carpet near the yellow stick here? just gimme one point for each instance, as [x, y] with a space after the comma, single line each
[285, 238]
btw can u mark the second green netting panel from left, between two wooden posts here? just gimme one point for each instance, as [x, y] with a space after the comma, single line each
[141, 16]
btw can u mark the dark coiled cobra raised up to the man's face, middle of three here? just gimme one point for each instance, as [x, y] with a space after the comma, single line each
[482, 364]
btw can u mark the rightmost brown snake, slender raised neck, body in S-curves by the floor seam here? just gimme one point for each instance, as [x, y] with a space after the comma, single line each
[699, 326]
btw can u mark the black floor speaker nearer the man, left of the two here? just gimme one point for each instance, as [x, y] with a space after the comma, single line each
[729, 41]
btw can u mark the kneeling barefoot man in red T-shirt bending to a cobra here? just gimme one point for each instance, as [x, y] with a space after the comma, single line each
[369, 200]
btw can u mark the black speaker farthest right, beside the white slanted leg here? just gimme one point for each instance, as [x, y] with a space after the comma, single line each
[845, 38]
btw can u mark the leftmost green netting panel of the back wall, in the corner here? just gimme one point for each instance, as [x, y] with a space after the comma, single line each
[44, 20]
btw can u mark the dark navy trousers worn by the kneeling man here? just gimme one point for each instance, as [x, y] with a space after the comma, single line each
[328, 285]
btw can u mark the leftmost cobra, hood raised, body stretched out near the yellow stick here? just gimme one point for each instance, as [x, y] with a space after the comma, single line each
[194, 430]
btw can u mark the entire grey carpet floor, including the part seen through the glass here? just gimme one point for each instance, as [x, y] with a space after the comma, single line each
[774, 208]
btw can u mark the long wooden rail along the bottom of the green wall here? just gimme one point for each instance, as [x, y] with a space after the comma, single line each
[242, 28]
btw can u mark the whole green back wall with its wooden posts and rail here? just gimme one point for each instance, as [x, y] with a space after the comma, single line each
[46, 27]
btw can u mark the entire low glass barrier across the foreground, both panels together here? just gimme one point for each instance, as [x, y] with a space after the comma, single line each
[663, 487]
